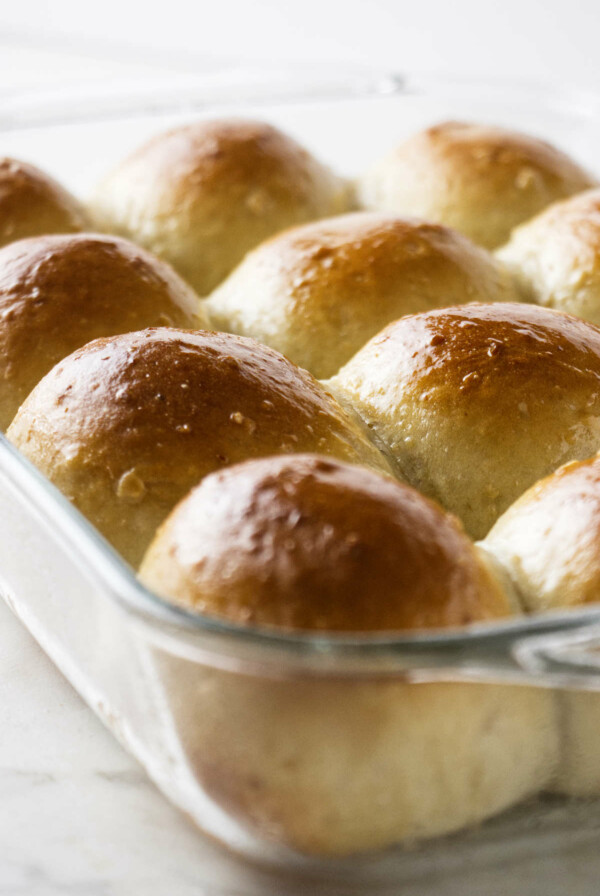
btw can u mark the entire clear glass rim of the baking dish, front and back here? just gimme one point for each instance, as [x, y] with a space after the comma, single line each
[435, 649]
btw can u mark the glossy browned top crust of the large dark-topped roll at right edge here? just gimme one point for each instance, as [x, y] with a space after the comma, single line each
[486, 357]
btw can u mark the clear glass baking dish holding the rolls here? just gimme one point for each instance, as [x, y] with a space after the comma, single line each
[204, 705]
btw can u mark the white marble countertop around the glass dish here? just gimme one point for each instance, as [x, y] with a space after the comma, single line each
[80, 816]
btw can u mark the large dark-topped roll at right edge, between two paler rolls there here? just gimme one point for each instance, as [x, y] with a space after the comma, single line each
[477, 402]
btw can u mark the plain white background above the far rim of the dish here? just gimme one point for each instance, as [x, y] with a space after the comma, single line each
[539, 39]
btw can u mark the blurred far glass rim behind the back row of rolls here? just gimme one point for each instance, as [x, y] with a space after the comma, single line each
[90, 102]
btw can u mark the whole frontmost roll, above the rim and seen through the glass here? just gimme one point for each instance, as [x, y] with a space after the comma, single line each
[326, 766]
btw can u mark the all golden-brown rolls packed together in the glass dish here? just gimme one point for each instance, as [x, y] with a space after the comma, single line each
[178, 408]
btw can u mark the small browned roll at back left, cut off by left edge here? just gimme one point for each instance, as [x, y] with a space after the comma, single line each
[32, 203]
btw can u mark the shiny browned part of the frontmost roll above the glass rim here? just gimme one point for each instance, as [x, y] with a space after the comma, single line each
[308, 543]
